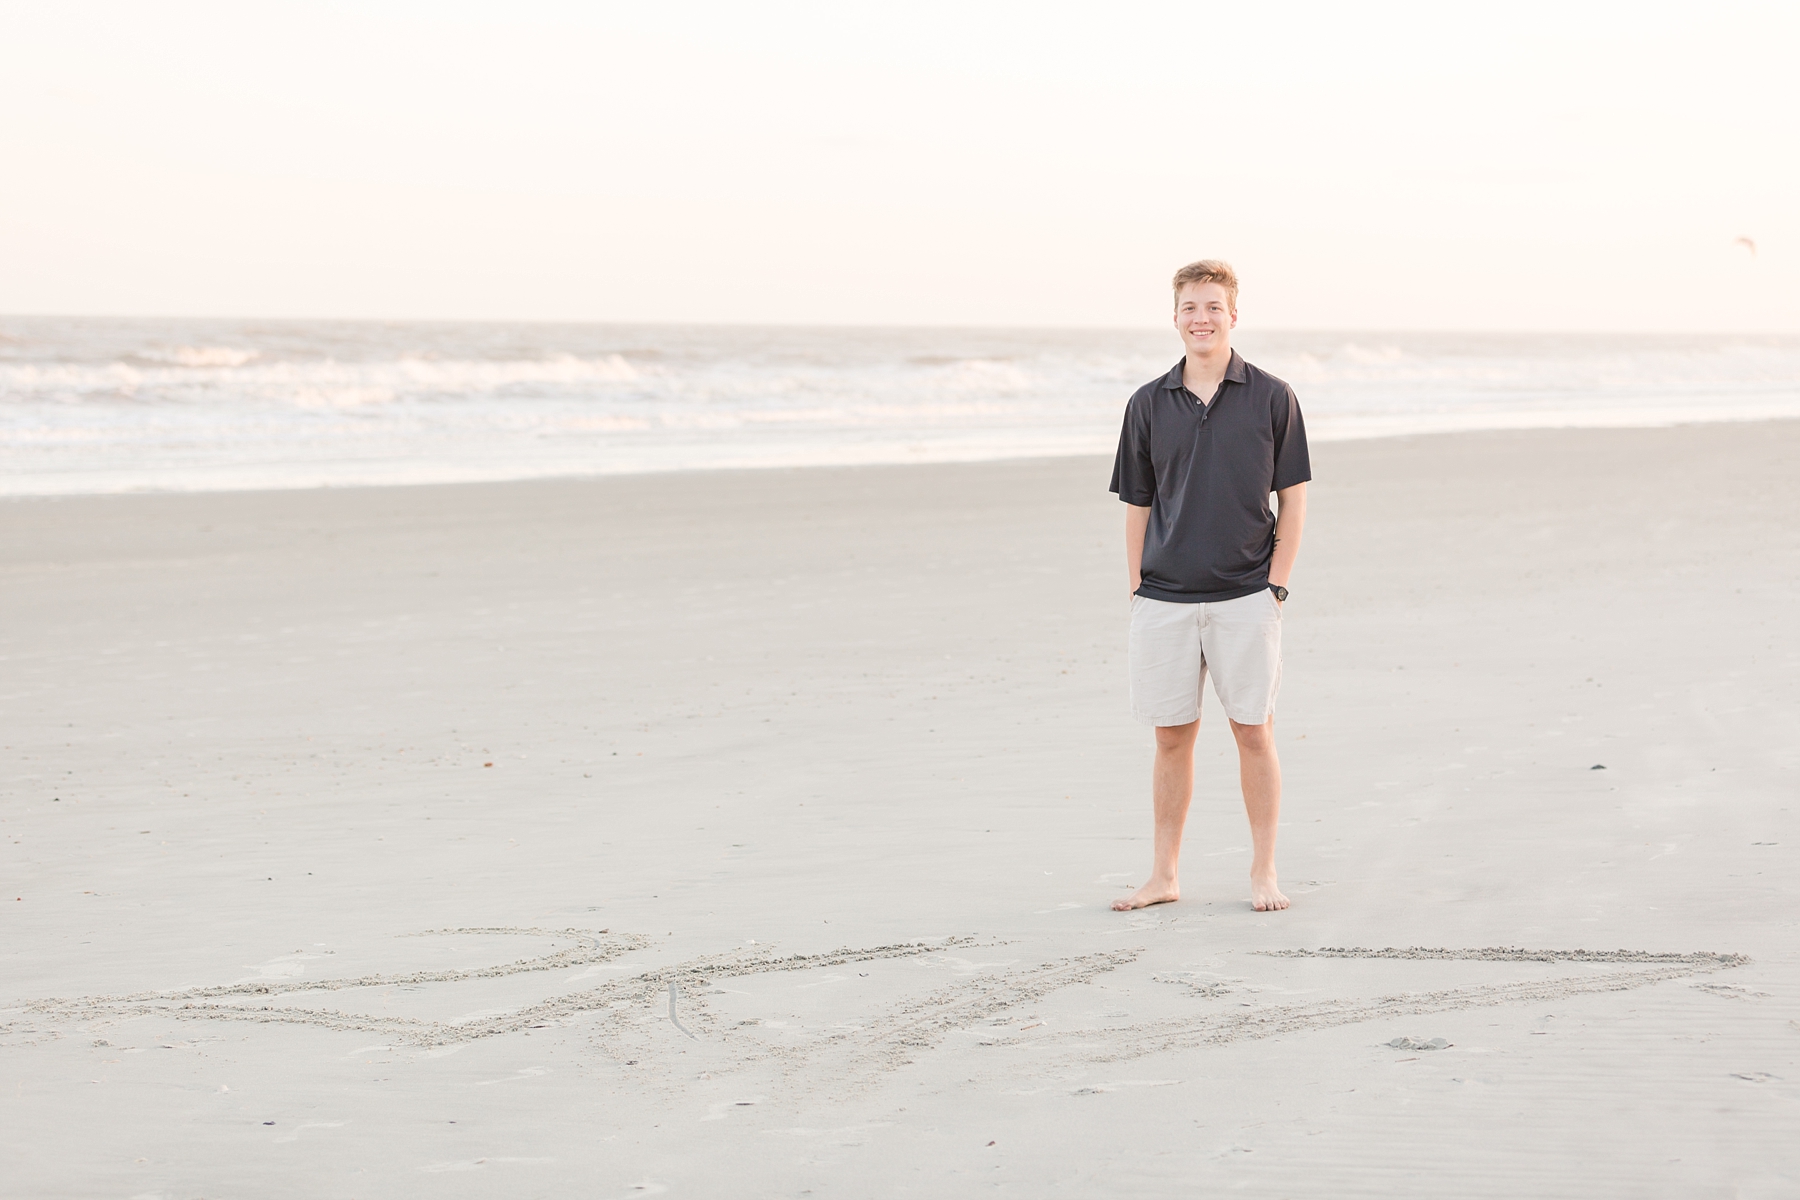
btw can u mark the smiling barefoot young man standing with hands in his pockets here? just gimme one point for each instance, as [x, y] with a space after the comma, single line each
[1209, 560]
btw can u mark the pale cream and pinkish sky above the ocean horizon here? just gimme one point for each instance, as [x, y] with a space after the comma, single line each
[1371, 166]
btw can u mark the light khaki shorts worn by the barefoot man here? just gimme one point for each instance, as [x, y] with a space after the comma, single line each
[1174, 647]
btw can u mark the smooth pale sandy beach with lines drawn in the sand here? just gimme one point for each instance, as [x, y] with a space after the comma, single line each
[363, 843]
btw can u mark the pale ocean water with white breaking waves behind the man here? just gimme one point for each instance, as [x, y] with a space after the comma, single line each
[94, 406]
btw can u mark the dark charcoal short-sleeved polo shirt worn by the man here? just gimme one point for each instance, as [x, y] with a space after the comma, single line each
[1205, 470]
